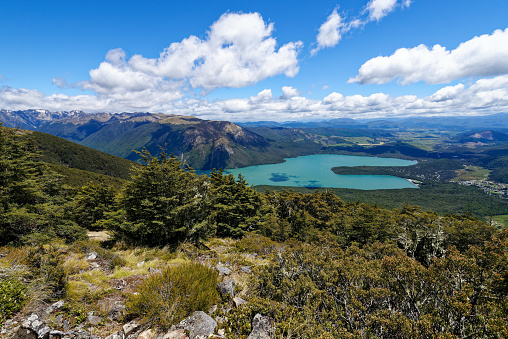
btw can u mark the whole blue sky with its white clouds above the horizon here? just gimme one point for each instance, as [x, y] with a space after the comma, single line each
[256, 60]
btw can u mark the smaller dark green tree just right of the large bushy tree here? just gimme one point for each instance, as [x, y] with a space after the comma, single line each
[235, 208]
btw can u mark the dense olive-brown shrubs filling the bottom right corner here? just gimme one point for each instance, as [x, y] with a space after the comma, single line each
[378, 291]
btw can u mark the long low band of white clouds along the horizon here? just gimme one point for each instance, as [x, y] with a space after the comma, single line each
[485, 96]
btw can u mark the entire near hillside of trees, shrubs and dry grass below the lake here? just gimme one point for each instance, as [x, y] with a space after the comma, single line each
[314, 265]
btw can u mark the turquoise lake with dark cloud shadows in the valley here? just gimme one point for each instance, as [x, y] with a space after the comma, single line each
[315, 171]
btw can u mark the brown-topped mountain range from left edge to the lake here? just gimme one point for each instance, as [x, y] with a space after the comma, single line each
[202, 144]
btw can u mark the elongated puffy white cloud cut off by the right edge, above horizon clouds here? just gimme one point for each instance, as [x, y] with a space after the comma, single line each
[482, 56]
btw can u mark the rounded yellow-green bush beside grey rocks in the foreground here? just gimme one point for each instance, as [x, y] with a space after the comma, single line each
[165, 299]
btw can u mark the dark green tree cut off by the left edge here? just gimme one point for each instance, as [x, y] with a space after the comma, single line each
[32, 199]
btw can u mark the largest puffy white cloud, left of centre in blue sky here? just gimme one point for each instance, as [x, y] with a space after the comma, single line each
[239, 50]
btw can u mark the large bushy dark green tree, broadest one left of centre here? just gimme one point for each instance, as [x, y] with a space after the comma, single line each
[163, 204]
